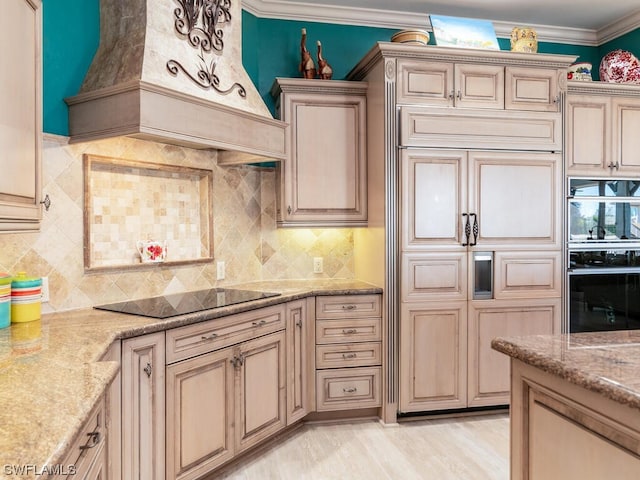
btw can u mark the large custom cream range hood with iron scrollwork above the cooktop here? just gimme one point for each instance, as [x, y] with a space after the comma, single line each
[171, 71]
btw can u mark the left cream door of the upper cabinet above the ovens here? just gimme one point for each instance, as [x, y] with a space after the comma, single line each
[588, 134]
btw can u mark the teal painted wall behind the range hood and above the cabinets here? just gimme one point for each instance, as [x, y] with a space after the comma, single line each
[271, 48]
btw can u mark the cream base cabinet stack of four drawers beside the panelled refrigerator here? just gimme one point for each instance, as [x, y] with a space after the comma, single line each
[348, 352]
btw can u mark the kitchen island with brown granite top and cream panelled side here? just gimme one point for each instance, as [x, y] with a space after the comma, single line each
[575, 405]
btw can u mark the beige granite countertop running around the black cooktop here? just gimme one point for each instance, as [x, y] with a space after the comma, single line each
[51, 375]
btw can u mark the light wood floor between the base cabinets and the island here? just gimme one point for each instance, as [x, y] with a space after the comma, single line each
[471, 448]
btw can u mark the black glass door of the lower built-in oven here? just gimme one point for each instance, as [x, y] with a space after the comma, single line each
[604, 299]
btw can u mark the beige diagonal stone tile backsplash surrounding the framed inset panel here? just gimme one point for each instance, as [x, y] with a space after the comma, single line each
[245, 236]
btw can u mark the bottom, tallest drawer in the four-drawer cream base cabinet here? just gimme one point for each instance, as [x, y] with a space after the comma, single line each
[342, 389]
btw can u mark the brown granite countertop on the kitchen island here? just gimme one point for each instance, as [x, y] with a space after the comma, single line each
[607, 363]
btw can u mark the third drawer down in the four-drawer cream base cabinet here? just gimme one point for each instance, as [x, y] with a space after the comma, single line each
[349, 355]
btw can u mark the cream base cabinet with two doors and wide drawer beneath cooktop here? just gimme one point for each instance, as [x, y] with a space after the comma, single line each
[226, 387]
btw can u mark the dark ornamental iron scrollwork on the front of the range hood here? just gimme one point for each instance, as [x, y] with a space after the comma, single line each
[201, 23]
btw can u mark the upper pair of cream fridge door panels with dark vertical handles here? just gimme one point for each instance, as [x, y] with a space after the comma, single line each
[486, 200]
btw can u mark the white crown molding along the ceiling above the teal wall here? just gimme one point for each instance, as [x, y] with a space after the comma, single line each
[336, 14]
